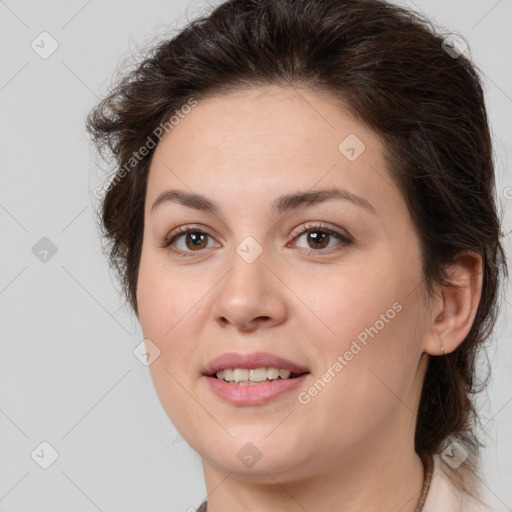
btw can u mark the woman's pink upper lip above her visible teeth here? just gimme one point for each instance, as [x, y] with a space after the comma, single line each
[251, 360]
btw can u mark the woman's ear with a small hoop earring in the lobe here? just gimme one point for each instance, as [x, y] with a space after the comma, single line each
[454, 307]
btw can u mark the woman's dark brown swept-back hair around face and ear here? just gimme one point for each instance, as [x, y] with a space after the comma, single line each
[391, 68]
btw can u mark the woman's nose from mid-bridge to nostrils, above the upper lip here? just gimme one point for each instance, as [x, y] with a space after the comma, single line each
[250, 296]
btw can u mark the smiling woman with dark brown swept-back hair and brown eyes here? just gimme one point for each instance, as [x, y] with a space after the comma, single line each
[303, 218]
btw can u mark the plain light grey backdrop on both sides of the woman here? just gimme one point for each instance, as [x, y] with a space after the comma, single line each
[67, 372]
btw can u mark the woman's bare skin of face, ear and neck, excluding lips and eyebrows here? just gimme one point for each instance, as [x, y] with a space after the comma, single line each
[351, 447]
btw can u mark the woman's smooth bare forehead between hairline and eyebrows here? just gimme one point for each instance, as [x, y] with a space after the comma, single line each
[263, 142]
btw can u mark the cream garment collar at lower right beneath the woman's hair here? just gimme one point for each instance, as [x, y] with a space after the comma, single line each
[443, 495]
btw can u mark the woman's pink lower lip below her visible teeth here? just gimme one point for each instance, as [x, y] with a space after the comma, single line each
[257, 394]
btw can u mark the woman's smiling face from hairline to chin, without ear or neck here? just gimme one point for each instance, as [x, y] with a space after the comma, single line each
[330, 283]
